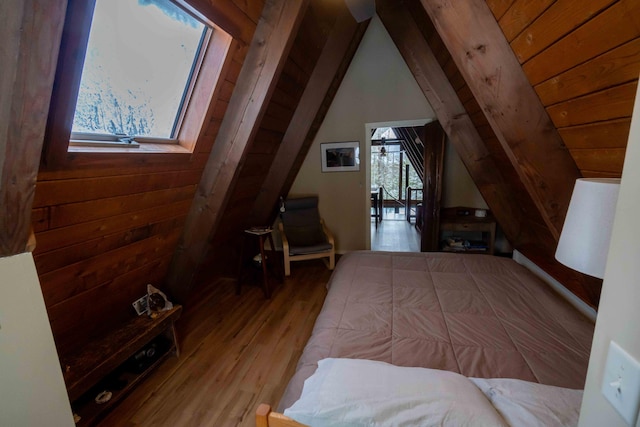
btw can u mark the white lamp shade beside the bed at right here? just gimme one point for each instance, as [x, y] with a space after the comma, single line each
[585, 237]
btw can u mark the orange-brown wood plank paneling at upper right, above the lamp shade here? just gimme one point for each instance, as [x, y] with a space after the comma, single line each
[583, 60]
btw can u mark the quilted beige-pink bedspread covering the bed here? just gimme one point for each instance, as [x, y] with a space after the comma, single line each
[478, 315]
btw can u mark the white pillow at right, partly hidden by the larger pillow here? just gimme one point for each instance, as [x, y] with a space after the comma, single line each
[523, 403]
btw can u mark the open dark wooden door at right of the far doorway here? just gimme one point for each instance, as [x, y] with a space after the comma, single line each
[433, 137]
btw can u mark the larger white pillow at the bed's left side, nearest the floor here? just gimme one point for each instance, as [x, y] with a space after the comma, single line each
[350, 392]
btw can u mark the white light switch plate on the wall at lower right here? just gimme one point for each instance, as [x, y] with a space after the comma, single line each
[621, 383]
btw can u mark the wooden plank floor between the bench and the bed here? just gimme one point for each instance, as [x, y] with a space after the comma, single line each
[236, 352]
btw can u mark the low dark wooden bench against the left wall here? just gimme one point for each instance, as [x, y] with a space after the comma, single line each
[111, 356]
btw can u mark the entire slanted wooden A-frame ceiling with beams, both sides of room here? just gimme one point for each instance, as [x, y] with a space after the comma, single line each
[531, 94]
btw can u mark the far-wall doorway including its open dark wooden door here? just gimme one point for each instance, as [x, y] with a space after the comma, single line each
[402, 157]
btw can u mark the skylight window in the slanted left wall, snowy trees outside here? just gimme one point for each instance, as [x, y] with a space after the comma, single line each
[141, 62]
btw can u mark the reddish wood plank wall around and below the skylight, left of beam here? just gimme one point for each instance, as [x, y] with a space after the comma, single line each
[104, 231]
